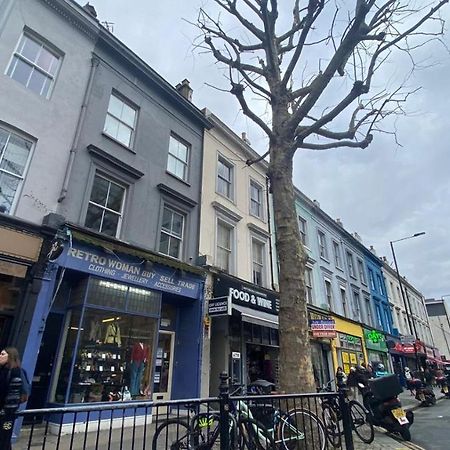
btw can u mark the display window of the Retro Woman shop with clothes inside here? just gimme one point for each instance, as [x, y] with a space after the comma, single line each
[107, 355]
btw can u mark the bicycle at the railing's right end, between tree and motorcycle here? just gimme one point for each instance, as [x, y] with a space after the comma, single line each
[332, 417]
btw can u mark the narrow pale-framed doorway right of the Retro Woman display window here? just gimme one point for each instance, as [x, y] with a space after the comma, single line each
[162, 378]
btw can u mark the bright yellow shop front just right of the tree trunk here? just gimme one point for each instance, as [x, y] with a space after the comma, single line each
[347, 349]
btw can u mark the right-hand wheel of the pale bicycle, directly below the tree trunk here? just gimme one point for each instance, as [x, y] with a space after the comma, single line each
[301, 429]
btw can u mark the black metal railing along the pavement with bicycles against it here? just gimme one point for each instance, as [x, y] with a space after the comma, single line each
[225, 422]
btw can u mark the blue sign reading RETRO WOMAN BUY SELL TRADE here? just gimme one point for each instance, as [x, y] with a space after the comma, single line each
[97, 262]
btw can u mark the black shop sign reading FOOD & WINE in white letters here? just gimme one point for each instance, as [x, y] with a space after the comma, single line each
[246, 294]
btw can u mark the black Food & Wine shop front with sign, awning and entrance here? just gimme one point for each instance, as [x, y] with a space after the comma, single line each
[244, 332]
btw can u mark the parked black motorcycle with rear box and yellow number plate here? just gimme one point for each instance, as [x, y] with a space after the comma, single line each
[380, 397]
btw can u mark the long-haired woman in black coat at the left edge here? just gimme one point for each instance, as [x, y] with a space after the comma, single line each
[10, 392]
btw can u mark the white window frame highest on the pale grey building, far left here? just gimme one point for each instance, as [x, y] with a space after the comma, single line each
[34, 66]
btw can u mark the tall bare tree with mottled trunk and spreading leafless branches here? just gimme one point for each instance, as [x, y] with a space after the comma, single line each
[314, 63]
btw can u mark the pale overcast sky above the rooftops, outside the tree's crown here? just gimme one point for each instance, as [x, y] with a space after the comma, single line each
[385, 192]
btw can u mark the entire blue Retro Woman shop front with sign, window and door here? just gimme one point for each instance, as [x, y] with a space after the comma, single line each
[119, 328]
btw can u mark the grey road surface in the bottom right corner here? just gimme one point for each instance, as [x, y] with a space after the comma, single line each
[431, 428]
